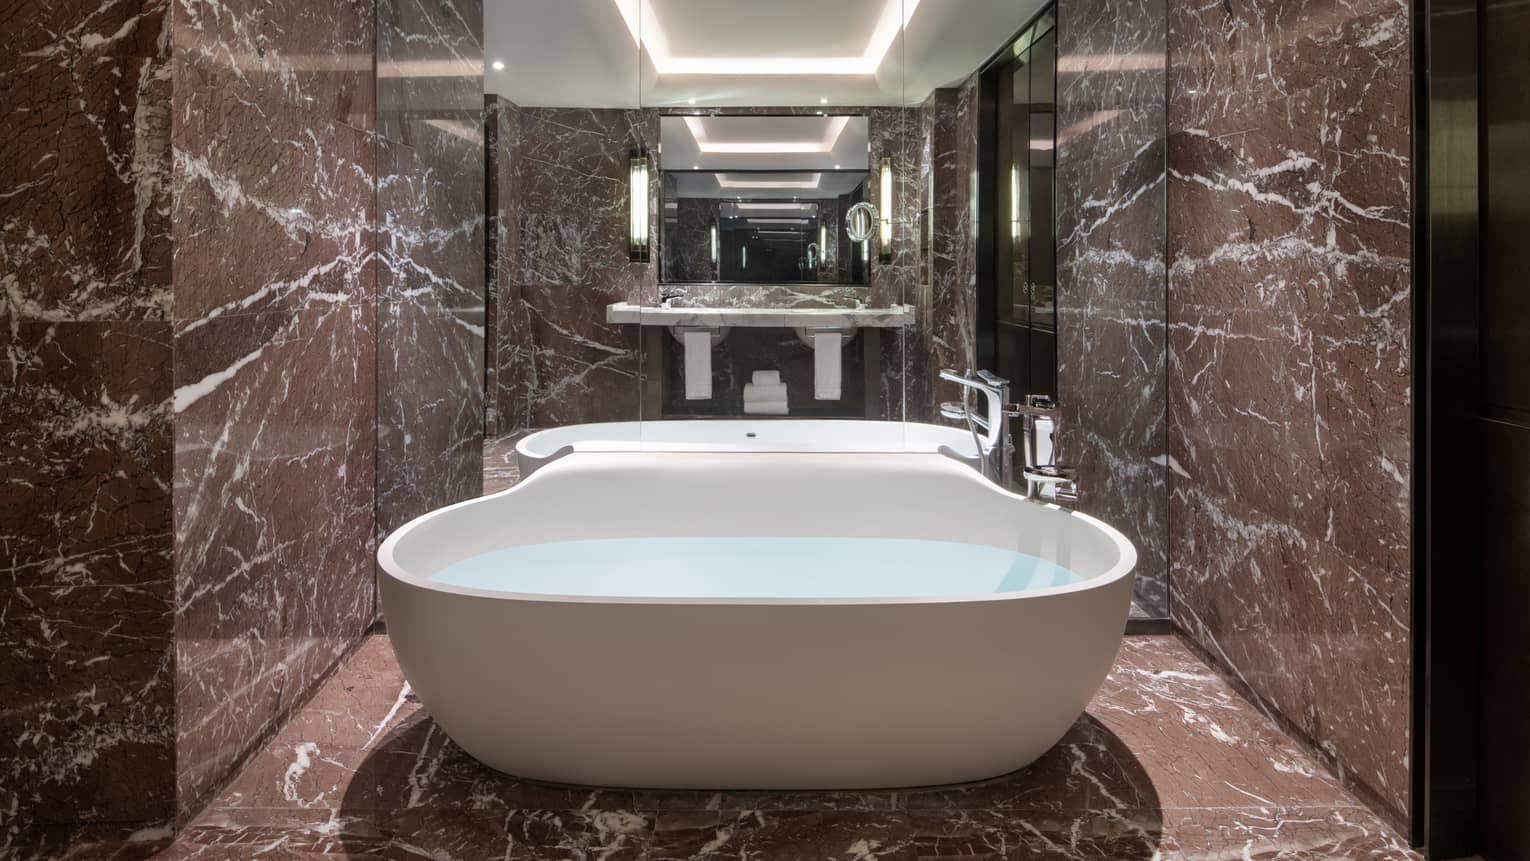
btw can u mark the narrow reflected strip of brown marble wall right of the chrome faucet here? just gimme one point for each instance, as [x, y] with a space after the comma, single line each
[1112, 308]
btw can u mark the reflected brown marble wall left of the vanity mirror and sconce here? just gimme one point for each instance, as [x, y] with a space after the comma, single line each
[564, 261]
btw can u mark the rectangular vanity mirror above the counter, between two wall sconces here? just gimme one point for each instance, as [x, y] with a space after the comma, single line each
[761, 200]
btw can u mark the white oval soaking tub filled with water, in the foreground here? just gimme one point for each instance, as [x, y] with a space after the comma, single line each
[755, 622]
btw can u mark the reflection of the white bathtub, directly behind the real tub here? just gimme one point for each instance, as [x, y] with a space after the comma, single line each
[741, 435]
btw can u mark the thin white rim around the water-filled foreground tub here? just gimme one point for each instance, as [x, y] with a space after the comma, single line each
[1124, 568]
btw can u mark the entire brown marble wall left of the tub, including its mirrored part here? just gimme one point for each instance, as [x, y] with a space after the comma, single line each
[192, 291]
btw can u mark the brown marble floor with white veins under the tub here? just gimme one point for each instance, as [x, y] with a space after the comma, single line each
[1168, 764]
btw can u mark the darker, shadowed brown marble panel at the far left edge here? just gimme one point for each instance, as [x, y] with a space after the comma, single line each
[86, 580]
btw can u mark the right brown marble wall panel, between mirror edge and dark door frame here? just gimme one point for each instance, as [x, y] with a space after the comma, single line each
[1289, 374]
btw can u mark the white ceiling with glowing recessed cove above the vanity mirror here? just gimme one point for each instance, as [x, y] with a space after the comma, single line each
[740, 53]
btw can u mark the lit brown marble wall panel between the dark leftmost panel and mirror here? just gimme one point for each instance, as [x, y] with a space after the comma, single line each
[275, 365]
